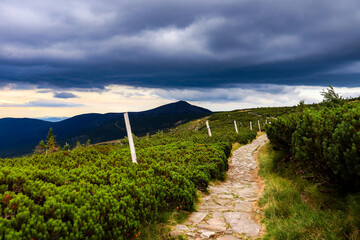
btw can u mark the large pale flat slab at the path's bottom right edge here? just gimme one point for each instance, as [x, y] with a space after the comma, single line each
[241, 222]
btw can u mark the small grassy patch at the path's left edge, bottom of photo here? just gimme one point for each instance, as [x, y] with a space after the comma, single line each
[161, 230]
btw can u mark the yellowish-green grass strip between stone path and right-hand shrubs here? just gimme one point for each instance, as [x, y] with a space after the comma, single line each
[296, 208]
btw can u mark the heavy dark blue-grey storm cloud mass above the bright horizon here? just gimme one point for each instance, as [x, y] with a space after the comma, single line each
[175, 44]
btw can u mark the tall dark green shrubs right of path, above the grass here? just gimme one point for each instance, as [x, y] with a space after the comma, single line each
[324, 141]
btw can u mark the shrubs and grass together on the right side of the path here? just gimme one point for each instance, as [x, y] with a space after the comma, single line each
[313, 175]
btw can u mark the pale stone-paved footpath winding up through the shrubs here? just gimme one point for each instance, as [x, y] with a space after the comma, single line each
[227, 212]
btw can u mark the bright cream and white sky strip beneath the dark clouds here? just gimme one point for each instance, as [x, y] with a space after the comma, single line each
[35, 102]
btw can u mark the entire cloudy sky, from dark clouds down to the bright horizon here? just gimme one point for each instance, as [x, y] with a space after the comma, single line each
[62, 58]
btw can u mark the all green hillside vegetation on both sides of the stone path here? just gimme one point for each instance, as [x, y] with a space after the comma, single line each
[96, 192]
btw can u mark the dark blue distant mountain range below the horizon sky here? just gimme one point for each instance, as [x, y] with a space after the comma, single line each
[19, 136]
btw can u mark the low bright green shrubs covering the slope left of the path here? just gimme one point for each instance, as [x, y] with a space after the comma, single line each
[96, 192]
